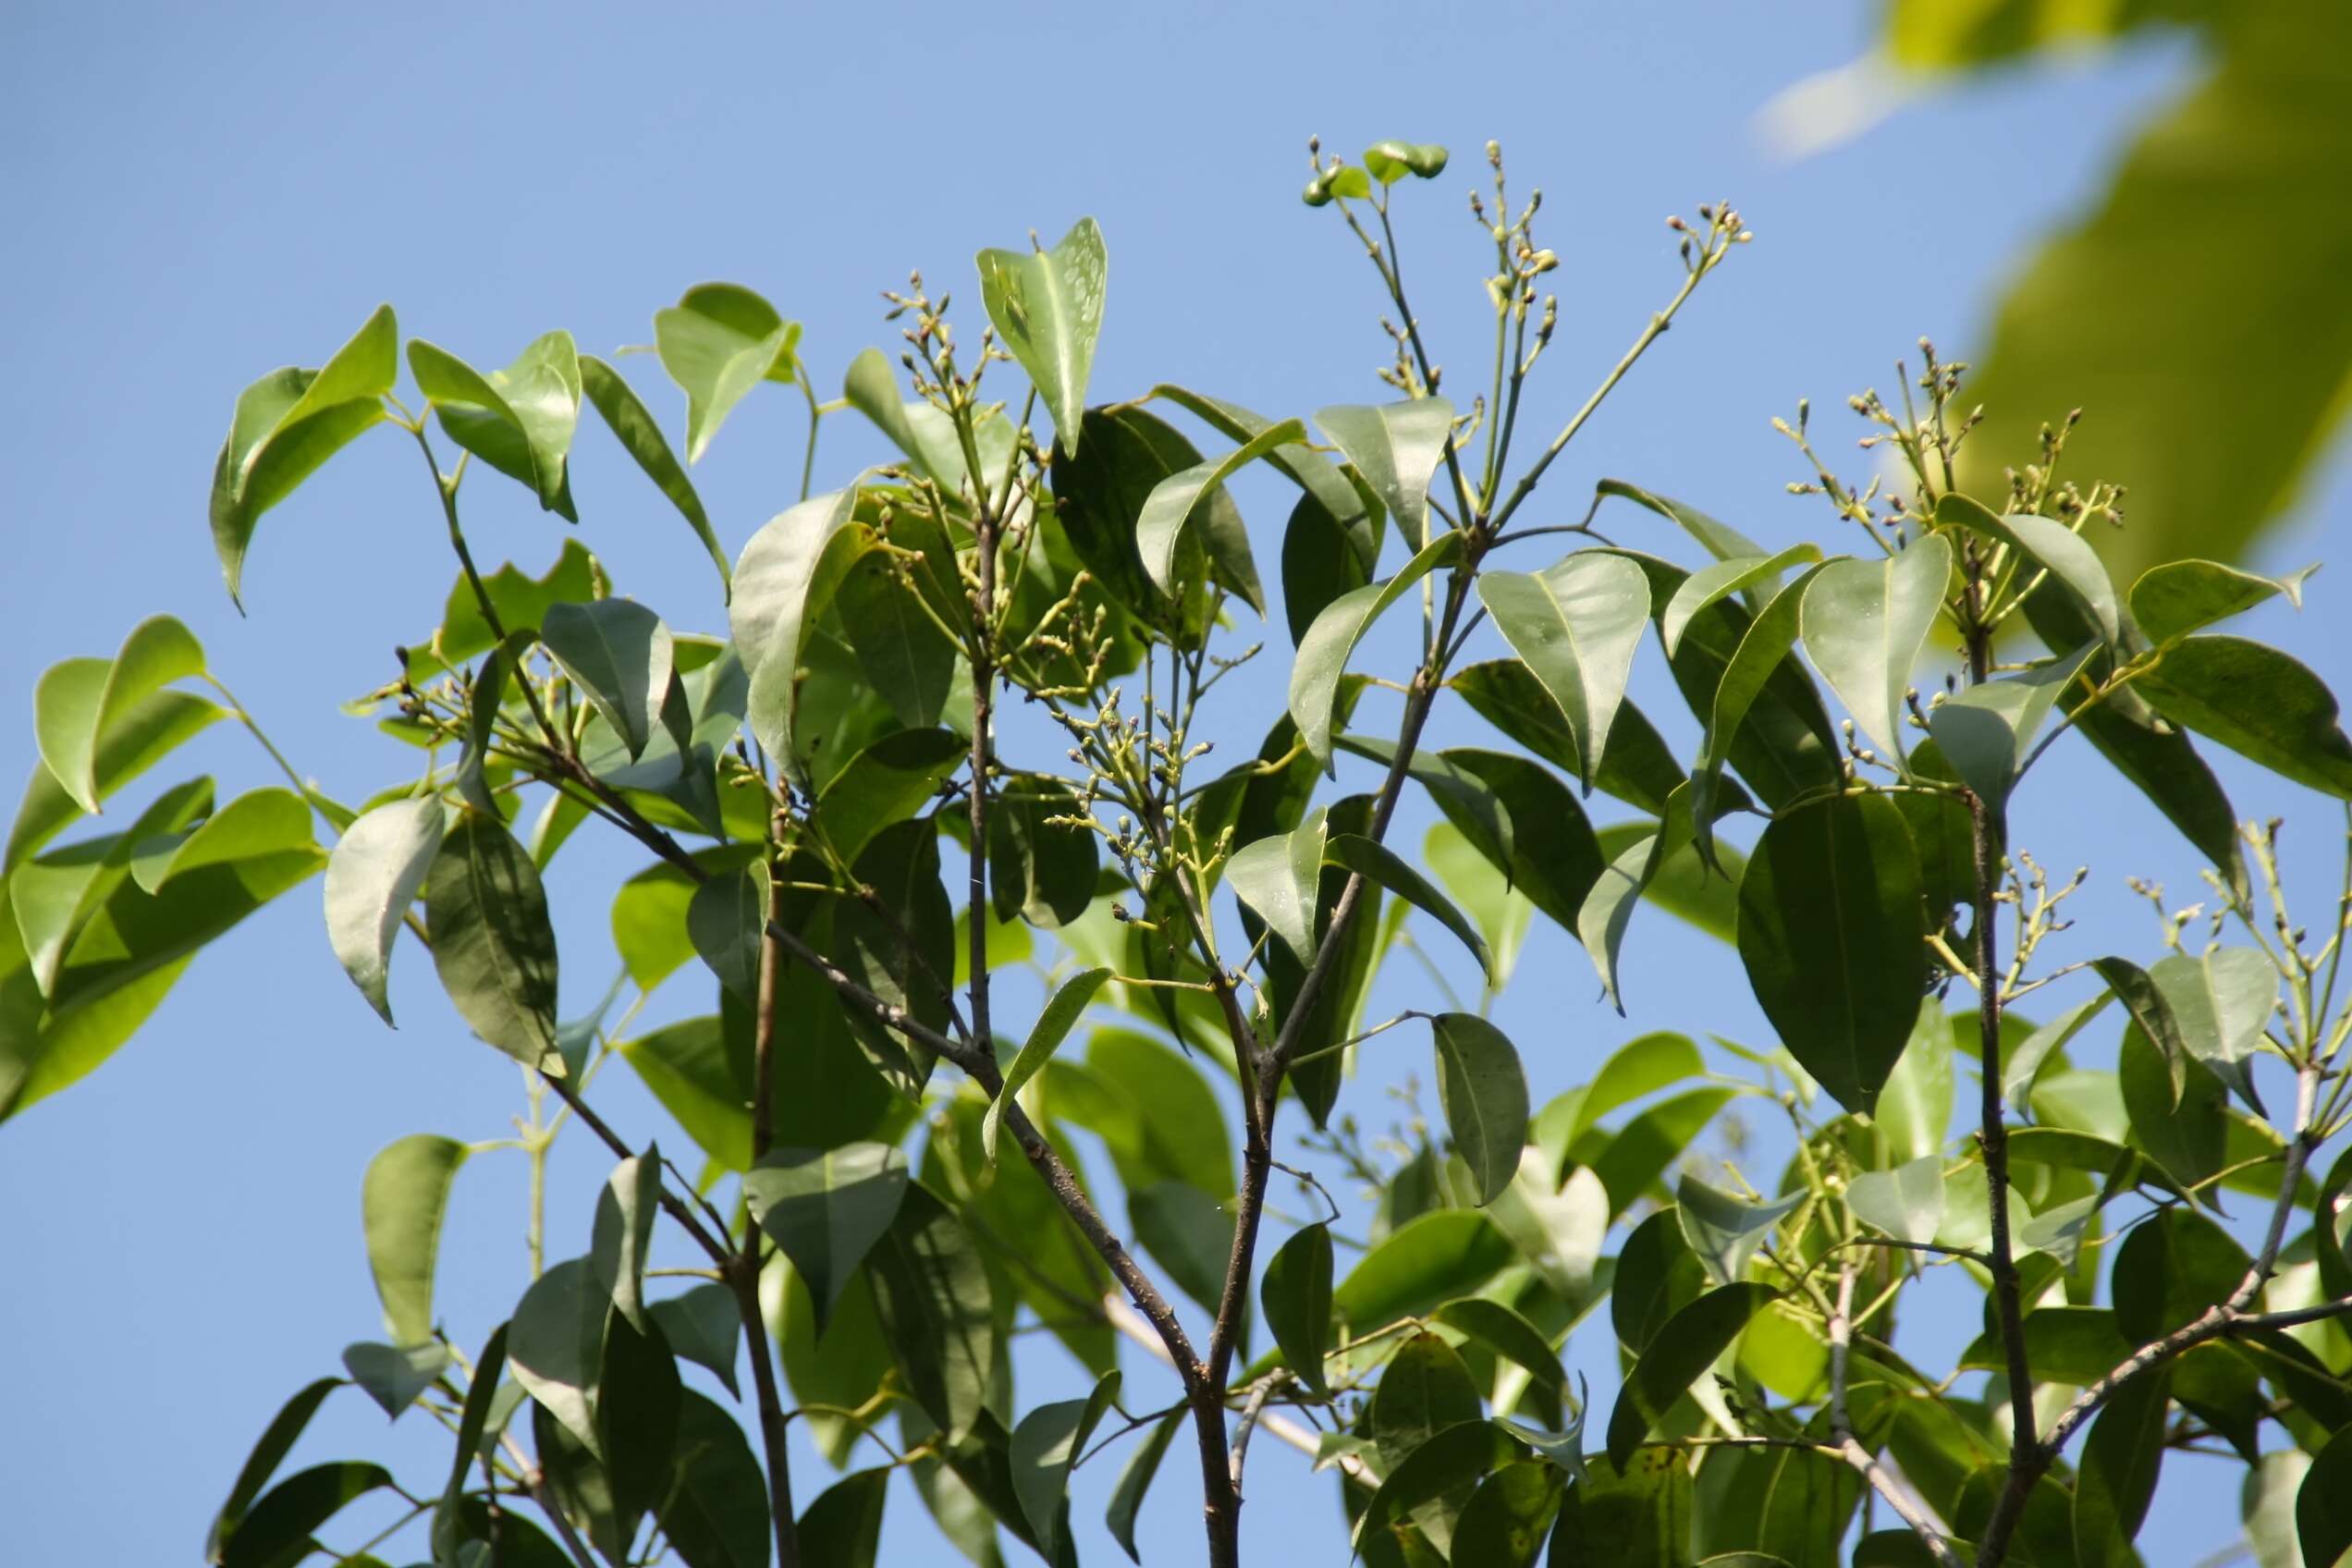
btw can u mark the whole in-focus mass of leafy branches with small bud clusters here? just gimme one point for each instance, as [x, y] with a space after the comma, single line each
[813, 784]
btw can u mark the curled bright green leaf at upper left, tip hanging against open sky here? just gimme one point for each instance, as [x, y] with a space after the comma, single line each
[288, 424]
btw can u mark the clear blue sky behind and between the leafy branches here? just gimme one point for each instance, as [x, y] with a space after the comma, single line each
[201, 194]
